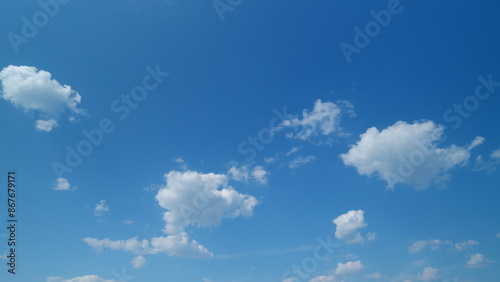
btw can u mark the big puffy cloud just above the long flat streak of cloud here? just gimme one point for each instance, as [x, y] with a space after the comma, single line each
[196, 199]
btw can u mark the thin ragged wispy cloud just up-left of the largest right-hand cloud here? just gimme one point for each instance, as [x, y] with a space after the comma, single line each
[323, 120]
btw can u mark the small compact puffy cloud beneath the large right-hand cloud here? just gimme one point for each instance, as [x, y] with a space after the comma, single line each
[348, 224]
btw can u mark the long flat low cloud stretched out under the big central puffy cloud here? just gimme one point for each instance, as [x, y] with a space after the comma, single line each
[172, 245]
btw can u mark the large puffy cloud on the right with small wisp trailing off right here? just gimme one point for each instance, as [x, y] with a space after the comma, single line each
[407, 154]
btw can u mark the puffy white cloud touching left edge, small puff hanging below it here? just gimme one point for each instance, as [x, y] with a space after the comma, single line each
[35, 91]
